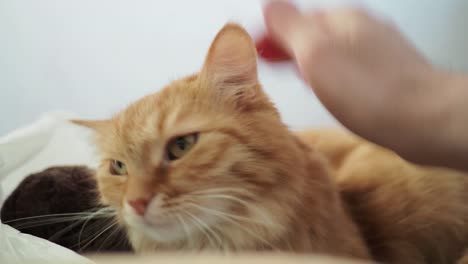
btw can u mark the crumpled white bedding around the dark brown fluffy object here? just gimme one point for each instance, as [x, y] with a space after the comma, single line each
[50, 141]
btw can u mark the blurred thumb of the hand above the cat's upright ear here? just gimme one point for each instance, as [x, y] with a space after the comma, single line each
[282, 20]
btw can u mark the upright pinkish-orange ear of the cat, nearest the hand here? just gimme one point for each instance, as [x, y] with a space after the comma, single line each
[231, 63]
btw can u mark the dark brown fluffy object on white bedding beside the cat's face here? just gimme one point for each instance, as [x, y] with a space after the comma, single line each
[60, 204]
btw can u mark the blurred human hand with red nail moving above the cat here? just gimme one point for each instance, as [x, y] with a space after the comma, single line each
[367, 75]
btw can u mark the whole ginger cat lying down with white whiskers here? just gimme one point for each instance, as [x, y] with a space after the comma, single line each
[207, 165]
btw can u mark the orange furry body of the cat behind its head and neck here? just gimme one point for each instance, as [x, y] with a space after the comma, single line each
[407, 213]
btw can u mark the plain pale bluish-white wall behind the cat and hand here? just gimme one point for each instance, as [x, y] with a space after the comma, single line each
[93, 57]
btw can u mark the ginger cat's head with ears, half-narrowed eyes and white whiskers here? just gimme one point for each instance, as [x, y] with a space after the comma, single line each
[206, 160]
